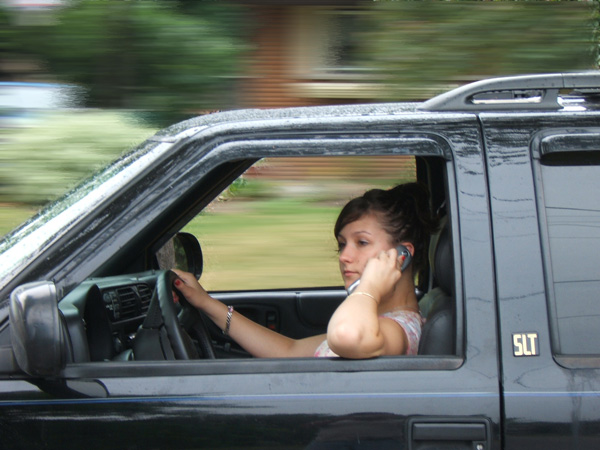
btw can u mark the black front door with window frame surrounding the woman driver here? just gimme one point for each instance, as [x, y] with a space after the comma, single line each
[387, 402]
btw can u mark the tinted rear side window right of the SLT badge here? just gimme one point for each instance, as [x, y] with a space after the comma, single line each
[569, 187]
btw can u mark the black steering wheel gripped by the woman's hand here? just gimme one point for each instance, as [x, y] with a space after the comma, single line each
[162, 336]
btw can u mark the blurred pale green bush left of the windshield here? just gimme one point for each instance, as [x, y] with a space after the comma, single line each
[38, 163]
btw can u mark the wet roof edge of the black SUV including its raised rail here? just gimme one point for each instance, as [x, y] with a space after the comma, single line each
[515, 94]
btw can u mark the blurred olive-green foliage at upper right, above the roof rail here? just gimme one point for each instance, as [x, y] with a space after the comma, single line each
[423, 44]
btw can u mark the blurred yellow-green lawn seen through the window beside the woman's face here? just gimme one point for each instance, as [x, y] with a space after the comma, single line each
[268, 244]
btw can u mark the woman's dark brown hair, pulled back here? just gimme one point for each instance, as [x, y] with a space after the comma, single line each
[404, 213]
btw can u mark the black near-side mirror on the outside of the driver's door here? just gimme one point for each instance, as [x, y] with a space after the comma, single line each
[37, 335]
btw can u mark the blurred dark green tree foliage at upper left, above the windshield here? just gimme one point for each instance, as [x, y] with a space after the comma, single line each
[156, 57]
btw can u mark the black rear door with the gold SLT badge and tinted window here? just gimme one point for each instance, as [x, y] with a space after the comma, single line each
[544, 176]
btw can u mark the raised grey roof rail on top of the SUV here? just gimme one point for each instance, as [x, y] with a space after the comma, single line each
[525, 92]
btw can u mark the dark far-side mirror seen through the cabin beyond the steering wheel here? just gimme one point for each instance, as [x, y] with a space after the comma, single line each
[182, 252]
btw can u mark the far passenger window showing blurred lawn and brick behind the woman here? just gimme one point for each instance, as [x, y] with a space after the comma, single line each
[273, 227]
